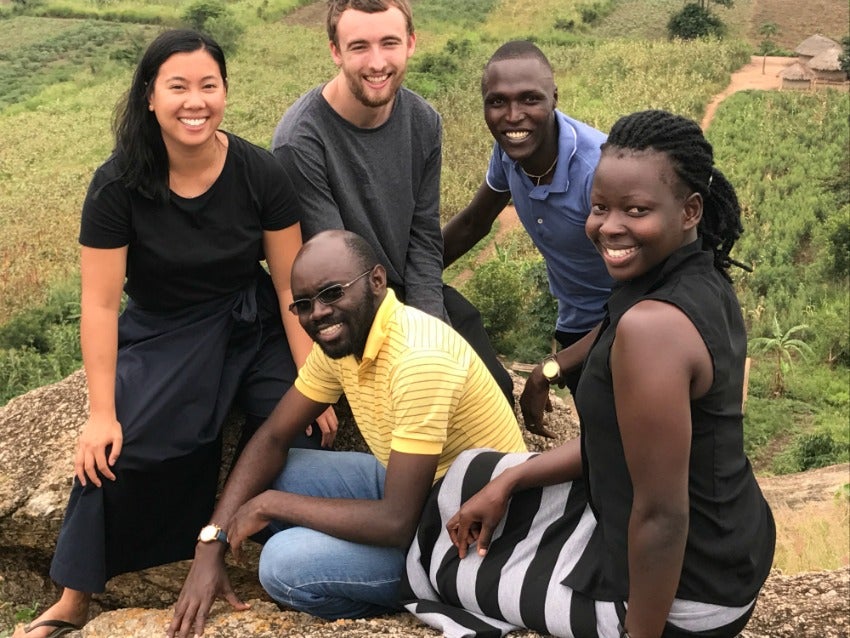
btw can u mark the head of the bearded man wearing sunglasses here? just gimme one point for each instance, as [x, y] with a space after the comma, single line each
[341, 328]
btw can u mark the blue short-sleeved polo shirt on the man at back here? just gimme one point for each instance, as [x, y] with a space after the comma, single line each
[554, 215]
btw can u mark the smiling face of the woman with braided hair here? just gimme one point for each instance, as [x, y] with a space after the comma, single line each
[641, 212]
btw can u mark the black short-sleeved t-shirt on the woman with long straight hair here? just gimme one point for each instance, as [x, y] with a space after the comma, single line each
[192, 250]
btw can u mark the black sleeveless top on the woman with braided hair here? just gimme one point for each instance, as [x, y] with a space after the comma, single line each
[731, 536]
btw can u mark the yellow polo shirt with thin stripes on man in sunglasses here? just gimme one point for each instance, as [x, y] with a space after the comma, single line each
[419, 389]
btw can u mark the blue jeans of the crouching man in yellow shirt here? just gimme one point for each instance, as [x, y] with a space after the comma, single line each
[321, 574]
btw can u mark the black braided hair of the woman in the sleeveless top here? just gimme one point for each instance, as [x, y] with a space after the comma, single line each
[692, 158]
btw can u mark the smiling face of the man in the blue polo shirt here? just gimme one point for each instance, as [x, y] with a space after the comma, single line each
[519, 107]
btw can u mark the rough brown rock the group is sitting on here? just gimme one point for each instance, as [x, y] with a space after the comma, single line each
[38, 432]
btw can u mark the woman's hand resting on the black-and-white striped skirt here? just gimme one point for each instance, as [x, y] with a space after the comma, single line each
[475, 521]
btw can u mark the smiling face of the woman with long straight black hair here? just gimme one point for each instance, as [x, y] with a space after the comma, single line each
[188, 98]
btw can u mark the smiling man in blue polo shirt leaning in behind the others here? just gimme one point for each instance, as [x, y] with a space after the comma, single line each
[545, 161]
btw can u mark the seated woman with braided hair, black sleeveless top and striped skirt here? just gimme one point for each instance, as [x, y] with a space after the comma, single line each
[651, 524]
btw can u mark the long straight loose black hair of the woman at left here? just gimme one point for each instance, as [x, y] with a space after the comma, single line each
[139, 147]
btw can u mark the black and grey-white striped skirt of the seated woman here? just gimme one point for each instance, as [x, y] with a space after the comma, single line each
[518, 583]
